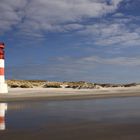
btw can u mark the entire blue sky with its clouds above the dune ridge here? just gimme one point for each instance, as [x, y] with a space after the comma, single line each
[72, 40]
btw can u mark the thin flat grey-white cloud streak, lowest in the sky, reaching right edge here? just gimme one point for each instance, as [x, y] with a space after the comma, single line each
[92, 61]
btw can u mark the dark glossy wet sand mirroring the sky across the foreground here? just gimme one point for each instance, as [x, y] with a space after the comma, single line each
[101, 119]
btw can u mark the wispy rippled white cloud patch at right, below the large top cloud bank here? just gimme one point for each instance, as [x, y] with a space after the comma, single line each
[115, 32]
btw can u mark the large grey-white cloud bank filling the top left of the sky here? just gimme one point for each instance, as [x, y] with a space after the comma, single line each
[46, 15]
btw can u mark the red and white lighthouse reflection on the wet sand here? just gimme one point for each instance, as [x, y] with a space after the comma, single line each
[3, 109]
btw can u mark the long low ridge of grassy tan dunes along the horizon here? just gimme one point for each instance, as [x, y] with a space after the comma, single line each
[51, 84]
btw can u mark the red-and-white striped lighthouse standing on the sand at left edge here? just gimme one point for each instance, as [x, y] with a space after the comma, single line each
[3, 85]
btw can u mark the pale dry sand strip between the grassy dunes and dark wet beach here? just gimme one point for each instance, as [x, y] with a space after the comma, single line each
[50, 94]
